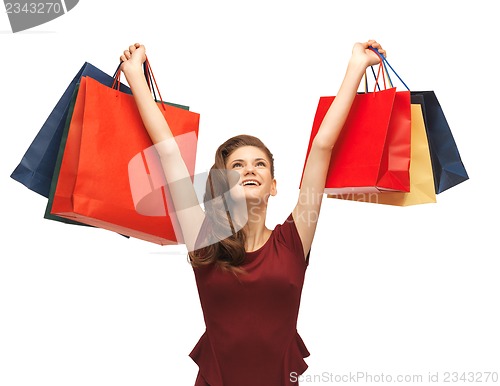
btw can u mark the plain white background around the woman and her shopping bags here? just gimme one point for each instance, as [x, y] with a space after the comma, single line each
[389, 290]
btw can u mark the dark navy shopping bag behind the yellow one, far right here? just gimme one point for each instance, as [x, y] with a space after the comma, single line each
[447, 164]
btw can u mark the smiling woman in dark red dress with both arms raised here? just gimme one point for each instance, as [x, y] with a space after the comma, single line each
[249, 277]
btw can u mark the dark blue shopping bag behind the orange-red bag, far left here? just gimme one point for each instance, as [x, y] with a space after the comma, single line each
[36, 167]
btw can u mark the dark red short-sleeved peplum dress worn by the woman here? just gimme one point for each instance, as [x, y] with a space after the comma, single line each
[251, 336]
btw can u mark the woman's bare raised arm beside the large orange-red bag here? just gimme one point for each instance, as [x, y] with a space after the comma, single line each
[190, 214]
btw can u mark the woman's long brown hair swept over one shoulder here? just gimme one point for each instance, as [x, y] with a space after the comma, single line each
[227, 252]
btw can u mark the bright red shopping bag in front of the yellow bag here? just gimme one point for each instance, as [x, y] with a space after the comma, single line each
[372, 152]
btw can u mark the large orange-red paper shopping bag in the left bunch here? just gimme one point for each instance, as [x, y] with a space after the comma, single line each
[106, 133]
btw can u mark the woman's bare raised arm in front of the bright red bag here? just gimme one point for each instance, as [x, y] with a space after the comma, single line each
[307, 210]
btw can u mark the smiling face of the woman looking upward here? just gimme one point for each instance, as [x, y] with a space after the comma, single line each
[253, 171]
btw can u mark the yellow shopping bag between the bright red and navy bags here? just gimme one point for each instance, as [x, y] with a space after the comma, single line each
[421, 176]
